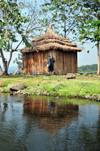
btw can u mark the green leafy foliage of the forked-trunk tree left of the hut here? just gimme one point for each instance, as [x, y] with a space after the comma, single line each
[11, 23]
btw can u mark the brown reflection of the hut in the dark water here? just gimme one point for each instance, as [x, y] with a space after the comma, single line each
[50, 116]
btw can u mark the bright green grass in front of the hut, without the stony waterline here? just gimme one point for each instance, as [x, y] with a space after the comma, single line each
[82, 84]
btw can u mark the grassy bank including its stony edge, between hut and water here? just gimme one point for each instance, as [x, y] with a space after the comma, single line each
[81, 87]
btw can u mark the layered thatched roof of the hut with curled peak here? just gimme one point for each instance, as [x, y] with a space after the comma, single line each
[51, 41]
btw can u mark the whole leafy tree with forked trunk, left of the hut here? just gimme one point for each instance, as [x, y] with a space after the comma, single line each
[11, 23]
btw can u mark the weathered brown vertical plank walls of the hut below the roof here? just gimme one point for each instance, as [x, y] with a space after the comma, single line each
[36, 62]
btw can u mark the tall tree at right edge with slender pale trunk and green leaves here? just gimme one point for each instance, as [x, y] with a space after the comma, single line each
[89, 27]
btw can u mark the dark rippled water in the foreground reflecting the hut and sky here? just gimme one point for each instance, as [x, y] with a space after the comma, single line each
[45, 124]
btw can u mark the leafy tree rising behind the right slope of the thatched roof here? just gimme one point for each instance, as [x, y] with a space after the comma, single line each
[61, 12]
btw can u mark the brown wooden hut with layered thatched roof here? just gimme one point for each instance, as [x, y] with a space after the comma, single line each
[63, 51]
